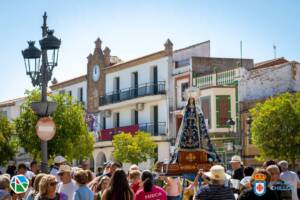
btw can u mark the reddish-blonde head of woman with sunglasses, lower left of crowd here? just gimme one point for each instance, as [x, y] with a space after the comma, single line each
[47, 185]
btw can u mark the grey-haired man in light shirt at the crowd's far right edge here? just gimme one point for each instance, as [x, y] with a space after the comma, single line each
[290, 178]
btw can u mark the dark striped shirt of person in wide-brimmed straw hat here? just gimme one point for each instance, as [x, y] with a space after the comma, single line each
[215, 192]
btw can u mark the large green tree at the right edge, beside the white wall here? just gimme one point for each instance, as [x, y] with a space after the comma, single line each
[276, 129]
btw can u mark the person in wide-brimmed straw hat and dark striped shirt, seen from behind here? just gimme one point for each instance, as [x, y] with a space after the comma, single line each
[215, 190]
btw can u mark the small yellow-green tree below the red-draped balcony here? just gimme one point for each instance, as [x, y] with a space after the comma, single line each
[133, 149]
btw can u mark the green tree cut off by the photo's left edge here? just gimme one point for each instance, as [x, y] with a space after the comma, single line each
[8, 145]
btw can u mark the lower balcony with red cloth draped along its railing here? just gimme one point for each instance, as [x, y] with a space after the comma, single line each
[155, 129]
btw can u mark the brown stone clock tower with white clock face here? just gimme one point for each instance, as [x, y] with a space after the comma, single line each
[95, 76]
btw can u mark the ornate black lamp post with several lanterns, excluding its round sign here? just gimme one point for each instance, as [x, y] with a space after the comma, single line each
[41, 73]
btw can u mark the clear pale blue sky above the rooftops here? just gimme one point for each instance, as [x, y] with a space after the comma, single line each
[135, 28]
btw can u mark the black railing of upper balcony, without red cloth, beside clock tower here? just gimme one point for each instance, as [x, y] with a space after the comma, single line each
[142, 90]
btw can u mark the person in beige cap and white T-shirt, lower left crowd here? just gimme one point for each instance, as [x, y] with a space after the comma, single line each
[67, 185]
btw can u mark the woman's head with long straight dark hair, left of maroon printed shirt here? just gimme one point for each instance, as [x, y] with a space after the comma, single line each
[119, 185]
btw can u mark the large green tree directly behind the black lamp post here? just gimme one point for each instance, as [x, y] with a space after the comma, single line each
[71, 139]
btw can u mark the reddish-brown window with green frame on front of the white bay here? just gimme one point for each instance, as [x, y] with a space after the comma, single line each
[223, 110]
